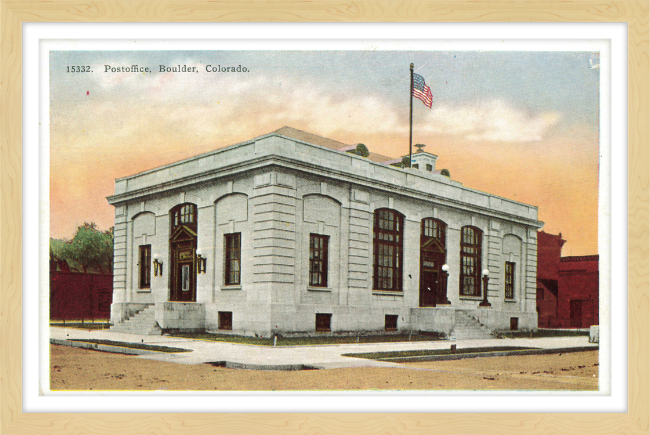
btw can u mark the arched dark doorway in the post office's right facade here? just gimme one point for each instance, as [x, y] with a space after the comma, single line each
[433, 256]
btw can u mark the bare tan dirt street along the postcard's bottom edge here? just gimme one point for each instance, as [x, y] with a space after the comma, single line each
[82, 369]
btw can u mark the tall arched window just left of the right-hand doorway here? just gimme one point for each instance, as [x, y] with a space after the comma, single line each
[387, 250]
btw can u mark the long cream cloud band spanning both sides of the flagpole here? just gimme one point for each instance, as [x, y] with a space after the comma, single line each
[203, 103]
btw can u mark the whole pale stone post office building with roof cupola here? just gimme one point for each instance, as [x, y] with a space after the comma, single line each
[289, 233]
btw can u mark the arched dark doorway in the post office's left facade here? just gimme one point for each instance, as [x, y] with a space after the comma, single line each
[182, 249]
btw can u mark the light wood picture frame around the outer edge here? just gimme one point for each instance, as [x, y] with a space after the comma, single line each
[14, 13]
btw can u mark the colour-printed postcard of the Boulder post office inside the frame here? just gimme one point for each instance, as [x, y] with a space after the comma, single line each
[348, 217]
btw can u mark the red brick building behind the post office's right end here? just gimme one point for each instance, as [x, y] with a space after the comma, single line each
[567, 287]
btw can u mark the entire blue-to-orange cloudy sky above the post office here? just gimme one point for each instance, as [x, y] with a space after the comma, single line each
[521, 125]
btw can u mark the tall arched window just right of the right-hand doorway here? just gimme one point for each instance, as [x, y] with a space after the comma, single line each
[470, 261]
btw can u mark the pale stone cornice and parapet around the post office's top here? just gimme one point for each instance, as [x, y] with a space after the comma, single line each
[274, 150]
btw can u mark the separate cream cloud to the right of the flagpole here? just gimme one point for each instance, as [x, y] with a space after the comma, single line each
[493, 121]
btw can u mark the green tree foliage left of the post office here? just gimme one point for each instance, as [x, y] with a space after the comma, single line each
[90, 250]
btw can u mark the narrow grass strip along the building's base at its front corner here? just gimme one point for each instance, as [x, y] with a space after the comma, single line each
[306, 341]
